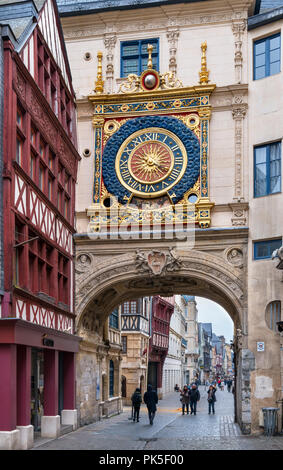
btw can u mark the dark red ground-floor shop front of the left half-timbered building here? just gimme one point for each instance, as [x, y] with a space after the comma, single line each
[37, 392]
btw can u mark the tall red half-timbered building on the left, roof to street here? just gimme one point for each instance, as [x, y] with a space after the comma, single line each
[37, 341]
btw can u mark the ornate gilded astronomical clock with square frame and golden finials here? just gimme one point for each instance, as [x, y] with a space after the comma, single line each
[151, 149]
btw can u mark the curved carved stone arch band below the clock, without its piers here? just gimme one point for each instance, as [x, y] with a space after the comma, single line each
[99, 291]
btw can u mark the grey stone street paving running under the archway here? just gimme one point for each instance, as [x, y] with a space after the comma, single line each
[170, 431]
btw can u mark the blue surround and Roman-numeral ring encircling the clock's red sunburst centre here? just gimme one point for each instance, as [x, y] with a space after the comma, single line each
[184, 169]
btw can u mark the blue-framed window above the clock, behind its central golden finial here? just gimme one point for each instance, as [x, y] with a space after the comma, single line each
[134, 56]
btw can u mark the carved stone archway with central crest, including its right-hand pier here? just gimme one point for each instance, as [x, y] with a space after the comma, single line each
[111, 280]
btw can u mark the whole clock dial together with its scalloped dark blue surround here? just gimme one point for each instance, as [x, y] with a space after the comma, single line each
[150, 157]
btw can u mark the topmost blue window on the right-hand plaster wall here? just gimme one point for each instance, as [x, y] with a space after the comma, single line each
[267, 56]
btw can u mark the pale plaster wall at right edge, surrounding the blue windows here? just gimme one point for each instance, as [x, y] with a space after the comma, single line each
[265, 222]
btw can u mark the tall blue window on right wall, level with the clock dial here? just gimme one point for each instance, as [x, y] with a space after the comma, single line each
[267, 169]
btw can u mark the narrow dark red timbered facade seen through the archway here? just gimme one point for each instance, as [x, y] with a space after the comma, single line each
[162, 310]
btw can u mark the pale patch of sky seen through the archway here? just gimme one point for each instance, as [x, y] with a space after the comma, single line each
[211, 312]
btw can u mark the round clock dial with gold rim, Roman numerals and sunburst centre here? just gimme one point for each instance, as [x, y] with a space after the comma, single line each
[150, 162]
